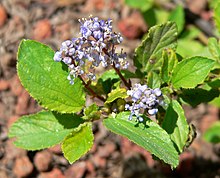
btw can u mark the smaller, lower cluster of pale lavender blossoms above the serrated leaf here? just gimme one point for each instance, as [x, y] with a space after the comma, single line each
[144, 99]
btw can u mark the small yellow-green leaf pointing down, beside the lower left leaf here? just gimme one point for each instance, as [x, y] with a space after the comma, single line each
[78, 142]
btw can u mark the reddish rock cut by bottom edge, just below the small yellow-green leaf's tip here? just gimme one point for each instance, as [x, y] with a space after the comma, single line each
[77, 170]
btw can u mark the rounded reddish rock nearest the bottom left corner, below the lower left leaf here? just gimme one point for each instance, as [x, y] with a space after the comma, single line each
[22, 167]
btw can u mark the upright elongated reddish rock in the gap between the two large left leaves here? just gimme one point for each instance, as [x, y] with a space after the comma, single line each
[22, 103]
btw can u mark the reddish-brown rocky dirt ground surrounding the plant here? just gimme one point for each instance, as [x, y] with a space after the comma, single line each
[51, 22]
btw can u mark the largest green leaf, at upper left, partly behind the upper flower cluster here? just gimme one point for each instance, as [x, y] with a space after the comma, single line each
[46, 80]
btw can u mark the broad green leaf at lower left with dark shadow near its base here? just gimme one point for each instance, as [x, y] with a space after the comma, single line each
[43, 130]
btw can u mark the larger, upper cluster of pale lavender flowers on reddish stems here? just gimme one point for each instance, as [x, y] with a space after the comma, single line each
[95, 46]
